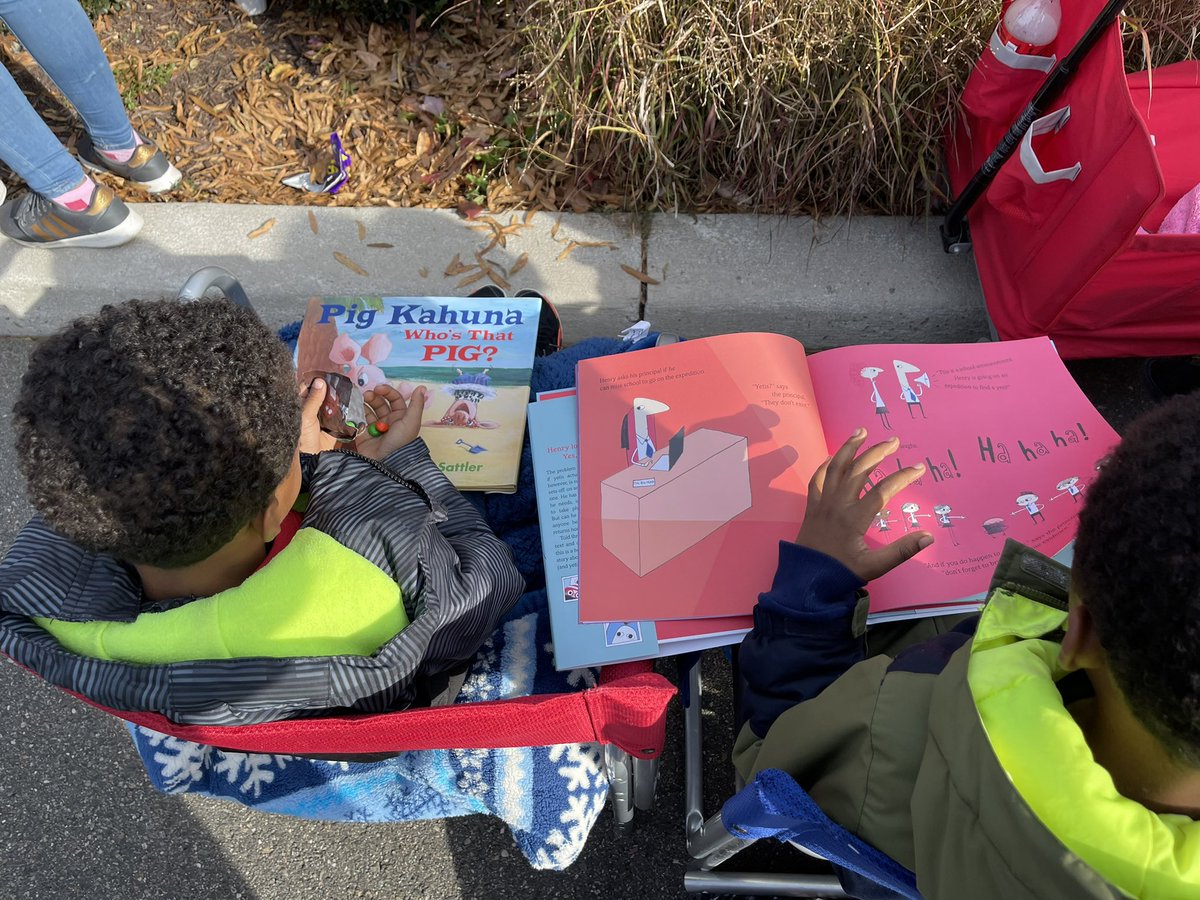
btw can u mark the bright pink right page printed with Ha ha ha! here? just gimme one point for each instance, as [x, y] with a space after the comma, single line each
[1010, 441]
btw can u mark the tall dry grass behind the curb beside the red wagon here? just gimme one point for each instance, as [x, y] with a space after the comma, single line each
[797, 106]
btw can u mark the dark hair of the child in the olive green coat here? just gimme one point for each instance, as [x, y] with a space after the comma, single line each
[1137, 568]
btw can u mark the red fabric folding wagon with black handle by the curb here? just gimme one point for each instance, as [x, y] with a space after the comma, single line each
[1067, 178]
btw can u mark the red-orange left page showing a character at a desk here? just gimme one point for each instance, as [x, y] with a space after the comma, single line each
[694, 464]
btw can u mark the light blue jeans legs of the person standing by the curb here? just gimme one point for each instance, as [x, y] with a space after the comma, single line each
[62, 39]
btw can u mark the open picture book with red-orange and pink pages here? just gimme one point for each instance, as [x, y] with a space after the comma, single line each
[695, 461]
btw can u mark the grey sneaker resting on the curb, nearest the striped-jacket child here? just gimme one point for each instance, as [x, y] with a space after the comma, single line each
[37, 221]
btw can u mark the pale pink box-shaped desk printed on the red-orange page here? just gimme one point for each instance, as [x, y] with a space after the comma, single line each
[651, 517]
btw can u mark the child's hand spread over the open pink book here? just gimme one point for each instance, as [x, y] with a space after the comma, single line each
[839, 514]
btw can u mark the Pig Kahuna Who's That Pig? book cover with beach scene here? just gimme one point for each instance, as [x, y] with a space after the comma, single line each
[475, 356]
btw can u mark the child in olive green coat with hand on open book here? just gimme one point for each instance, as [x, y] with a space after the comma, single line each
[1048, 748]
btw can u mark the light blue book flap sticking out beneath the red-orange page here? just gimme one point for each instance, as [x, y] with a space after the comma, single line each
[554, 440]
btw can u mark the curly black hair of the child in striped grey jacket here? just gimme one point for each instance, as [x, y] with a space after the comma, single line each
[157, 430]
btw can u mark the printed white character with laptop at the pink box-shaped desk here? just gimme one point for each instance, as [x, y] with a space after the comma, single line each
[668, 499]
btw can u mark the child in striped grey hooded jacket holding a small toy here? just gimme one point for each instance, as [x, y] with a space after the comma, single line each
[165, 447]
